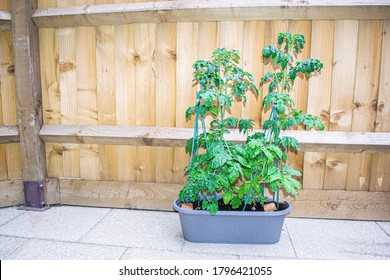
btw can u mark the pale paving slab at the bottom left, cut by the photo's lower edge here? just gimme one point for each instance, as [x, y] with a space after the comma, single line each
[58, 250]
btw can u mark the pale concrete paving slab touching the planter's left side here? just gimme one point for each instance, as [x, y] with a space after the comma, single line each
[138, 229]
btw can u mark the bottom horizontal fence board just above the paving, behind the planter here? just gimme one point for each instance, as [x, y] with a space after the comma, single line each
[357, 205]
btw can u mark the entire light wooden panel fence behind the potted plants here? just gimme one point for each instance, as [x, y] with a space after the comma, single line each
[116, 80]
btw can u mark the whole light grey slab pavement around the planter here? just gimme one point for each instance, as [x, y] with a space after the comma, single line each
[87, 233]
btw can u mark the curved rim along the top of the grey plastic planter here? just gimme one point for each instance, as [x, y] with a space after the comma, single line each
[177, 204]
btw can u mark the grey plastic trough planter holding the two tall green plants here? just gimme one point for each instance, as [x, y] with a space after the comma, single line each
[233, 227]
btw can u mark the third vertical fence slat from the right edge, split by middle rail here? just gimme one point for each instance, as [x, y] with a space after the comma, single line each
[345, 52]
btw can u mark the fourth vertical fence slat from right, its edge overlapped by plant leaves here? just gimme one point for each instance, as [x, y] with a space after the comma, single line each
[318, 102]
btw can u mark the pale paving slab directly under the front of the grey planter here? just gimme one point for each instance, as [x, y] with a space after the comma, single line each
[282, 249]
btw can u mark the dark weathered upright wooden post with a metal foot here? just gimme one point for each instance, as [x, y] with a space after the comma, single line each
[29, 102]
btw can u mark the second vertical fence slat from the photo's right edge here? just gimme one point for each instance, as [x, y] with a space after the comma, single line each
[365, 99]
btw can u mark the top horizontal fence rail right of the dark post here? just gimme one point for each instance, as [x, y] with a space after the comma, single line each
[190, 11]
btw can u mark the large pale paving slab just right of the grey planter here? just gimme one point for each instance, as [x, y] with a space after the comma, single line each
[336, 239]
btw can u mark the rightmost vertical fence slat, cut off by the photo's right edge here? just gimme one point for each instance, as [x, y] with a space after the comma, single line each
[380, 173]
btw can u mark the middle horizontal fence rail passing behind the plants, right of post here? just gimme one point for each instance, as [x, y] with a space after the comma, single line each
[356, 142]
